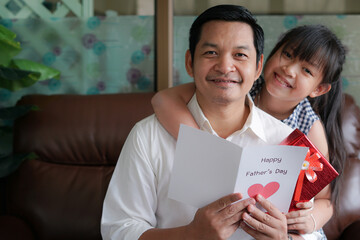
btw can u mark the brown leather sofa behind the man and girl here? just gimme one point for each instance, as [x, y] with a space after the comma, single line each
[78, 139]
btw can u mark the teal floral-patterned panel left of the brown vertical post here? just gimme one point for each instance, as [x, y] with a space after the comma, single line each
[95, 56]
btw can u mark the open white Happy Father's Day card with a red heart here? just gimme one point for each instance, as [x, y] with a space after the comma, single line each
[207, 168]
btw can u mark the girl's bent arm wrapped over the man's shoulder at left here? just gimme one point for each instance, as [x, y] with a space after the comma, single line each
[171, 110]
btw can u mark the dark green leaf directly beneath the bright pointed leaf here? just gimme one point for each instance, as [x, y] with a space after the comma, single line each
[16, 79]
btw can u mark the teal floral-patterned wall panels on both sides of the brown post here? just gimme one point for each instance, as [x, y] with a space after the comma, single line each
[103, 55]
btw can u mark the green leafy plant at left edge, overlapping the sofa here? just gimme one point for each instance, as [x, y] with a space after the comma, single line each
[16, 74]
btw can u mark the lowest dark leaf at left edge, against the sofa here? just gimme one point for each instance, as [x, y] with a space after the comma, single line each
[8, 164]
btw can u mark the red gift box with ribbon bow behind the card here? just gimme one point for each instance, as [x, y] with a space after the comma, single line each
[315, 174]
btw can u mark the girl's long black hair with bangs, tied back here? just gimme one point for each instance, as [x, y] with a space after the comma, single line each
[317, 44]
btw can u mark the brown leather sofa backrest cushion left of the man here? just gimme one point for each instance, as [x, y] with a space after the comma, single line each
[79, 129]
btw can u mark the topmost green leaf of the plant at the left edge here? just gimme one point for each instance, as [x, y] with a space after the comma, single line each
[8, 46]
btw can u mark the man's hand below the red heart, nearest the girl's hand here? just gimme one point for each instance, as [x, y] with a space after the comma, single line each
[270, 225]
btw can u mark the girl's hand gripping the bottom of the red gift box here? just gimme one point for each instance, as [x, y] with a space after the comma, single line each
[302, 219]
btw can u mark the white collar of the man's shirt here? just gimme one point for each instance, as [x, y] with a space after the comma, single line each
[253, 123]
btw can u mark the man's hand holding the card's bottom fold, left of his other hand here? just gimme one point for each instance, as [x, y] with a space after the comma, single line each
[220, 219]
